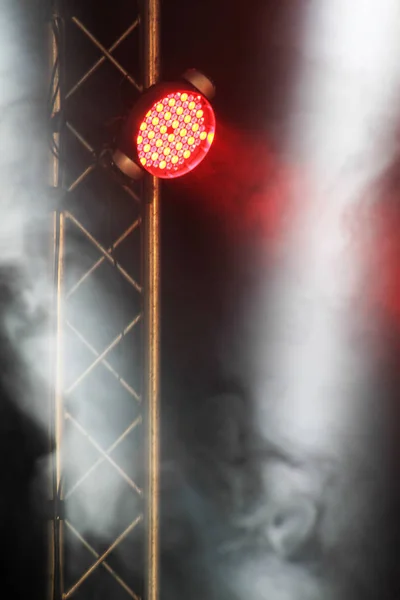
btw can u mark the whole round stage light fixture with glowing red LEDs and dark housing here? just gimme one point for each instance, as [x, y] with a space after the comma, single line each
[170, 130]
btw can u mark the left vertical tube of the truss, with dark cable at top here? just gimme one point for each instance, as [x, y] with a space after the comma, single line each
[56, 401]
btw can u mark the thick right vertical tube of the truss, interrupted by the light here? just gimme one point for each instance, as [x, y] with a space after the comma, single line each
[151, 35]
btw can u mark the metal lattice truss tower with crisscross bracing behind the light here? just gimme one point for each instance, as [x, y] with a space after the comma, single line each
[105, 372]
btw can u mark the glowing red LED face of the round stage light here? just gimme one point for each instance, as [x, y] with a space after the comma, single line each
[175, 134]
